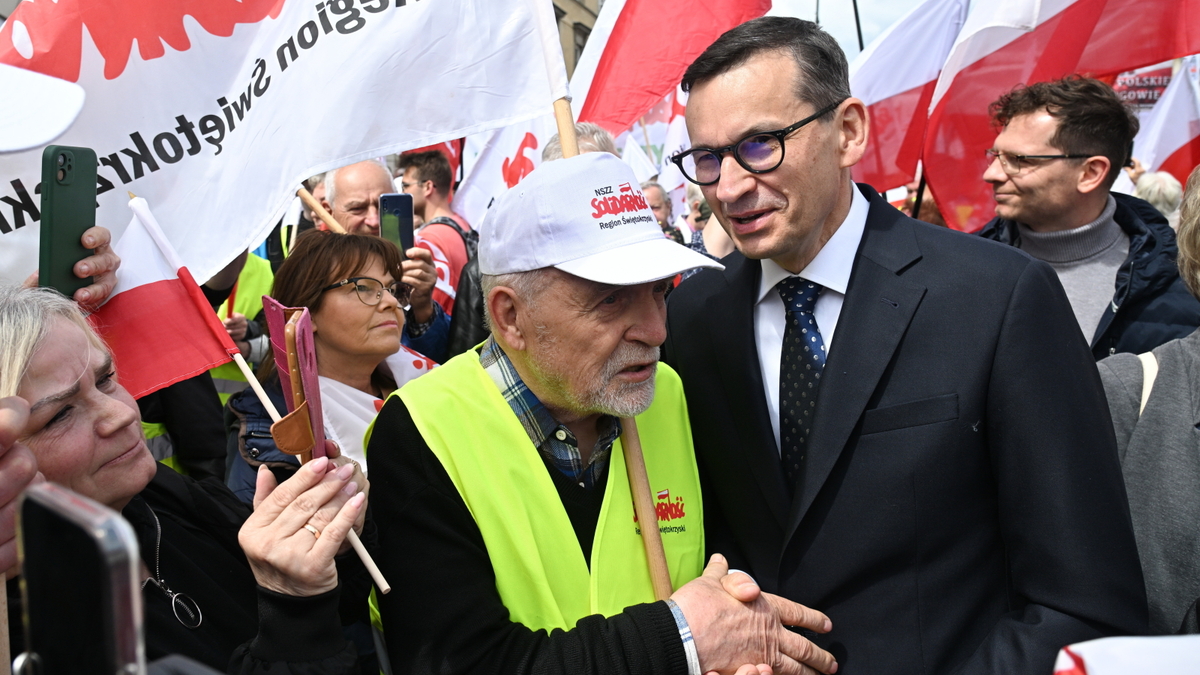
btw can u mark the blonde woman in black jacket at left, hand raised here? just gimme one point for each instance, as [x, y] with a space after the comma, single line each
[241, 590]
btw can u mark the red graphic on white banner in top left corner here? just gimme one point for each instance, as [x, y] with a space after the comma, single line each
[49, 37]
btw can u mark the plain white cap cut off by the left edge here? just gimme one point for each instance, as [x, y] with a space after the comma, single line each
[43, 109]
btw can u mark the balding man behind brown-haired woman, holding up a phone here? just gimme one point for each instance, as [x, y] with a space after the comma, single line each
[352, 198]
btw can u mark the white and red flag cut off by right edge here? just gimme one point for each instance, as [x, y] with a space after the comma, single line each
[1171, 134]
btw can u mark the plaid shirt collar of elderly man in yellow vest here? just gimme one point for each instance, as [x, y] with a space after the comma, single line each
[553, 439]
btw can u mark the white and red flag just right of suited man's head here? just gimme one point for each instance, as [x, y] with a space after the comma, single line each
[896, 77]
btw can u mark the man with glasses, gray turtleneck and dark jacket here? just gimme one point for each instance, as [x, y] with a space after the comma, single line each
[1060, 148]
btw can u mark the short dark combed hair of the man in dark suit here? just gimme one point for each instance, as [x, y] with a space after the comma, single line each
[825, 76]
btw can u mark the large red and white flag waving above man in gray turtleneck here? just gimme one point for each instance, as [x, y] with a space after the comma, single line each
[1004, 45]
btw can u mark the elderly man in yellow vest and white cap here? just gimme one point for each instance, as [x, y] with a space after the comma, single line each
[500, 483]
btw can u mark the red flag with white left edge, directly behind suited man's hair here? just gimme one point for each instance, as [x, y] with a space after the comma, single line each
[639, 51]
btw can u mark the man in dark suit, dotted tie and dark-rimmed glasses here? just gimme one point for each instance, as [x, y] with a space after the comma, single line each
[896, 425]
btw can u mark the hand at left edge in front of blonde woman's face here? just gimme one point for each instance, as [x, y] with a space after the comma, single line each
[19, 470]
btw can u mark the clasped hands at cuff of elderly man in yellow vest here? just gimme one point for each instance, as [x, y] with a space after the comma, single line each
[735, 624]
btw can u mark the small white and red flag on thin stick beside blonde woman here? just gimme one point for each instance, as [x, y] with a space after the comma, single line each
[158, 324]
